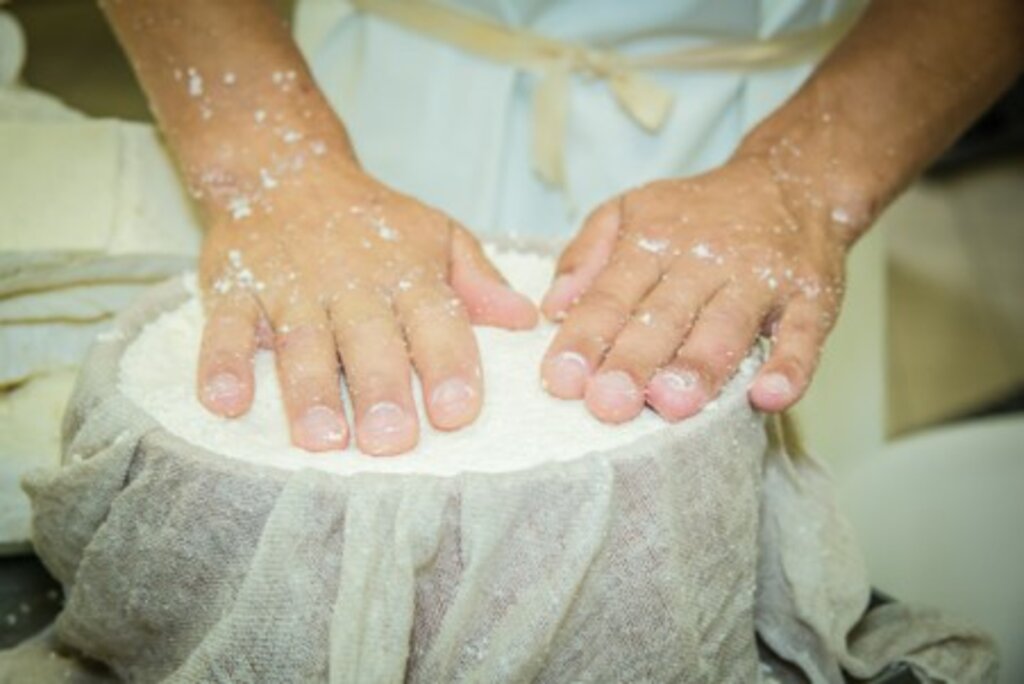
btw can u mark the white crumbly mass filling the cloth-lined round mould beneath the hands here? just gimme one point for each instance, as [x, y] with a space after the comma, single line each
[496, 443]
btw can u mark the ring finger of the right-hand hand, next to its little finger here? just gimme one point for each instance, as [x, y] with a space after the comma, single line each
[721, 338]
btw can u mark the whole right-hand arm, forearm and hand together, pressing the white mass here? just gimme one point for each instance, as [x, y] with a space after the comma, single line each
[667, 287]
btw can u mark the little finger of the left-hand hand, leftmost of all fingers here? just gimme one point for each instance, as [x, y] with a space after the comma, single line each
[226, 361]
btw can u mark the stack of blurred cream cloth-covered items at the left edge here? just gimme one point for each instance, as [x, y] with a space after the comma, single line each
[91, 215]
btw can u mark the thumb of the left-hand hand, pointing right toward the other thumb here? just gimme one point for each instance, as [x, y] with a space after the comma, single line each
[488, 297]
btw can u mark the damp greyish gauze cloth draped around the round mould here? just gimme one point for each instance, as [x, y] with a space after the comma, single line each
[658, 562]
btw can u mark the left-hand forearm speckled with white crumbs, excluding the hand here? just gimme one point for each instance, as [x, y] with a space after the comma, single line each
[232, 95]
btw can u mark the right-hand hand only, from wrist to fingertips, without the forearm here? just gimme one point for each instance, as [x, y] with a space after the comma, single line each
[667, 287]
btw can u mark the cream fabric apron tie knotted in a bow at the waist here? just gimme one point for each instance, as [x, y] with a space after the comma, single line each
[641, 97]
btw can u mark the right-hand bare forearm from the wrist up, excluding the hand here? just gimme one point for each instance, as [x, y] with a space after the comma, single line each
[903, 85]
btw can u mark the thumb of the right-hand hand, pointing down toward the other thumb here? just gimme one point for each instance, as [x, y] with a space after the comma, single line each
[584, 259]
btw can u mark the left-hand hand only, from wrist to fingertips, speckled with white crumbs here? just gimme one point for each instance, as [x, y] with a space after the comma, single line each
[333, 265]
